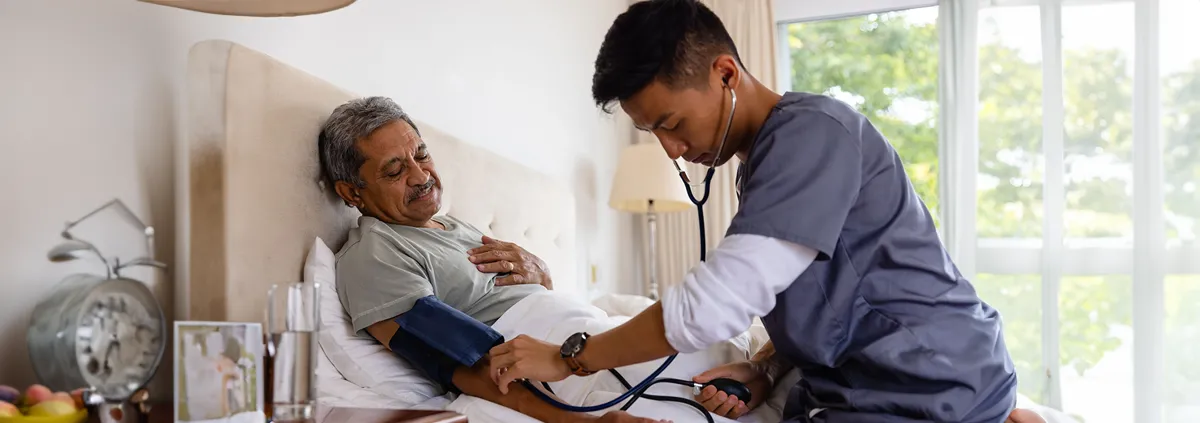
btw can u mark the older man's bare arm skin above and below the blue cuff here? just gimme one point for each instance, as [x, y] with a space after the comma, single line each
[475, 382]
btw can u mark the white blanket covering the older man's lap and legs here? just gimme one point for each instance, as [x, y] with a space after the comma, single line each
[554, 318]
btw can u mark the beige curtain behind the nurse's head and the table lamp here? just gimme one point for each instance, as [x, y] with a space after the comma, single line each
[752, 23]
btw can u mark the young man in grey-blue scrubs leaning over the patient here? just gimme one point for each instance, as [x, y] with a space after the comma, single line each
[831, 247]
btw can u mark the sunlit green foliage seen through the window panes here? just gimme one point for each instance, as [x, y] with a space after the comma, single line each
[886, 67]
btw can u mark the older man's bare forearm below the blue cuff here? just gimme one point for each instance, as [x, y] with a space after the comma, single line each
[476, 383]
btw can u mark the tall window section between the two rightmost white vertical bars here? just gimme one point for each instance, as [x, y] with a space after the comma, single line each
[1095, 312]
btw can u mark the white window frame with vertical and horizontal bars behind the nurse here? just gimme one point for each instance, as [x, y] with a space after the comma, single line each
[1148, 257]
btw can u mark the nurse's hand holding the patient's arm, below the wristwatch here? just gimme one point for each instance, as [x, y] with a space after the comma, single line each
[525, 358]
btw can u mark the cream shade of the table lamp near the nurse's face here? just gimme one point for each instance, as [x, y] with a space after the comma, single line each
[646, 174]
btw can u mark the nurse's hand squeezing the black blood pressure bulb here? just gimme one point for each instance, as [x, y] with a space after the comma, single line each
[749, 373]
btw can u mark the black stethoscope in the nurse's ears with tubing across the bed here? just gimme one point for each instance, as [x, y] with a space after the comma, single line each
[729, 386]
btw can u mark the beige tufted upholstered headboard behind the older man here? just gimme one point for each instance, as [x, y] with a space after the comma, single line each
[256, 200]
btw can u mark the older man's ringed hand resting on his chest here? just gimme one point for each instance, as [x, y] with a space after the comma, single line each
[521, 266]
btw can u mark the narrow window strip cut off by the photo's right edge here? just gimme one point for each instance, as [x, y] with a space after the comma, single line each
[1180, 133]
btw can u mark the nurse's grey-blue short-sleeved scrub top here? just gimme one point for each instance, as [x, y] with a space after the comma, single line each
[883, 326]
